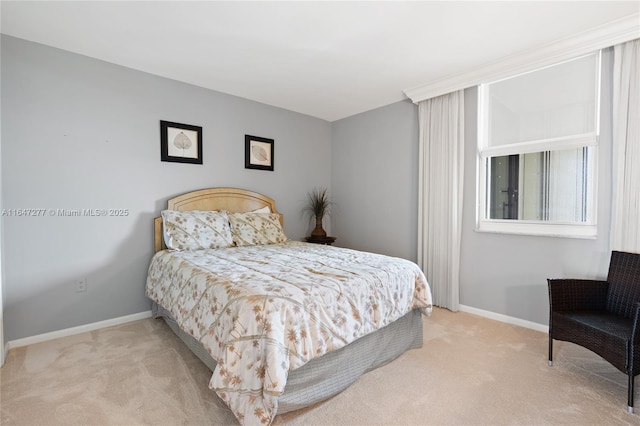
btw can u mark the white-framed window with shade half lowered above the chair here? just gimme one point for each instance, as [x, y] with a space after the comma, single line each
[537, 144]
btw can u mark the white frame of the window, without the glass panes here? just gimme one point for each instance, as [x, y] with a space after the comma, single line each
[485, 153]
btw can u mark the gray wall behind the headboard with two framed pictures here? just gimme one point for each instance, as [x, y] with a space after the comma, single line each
[81, 133]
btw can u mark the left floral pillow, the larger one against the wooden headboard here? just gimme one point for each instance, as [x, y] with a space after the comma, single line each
[196, 229]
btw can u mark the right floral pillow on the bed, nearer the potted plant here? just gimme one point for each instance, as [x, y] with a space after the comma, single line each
[250, 229]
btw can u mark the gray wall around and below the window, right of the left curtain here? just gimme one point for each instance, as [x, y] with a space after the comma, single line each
[507, 274]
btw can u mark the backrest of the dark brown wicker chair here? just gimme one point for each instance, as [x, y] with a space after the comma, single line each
[624, 283]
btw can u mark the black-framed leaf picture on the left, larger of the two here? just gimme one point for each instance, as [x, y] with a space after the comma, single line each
[175, 137]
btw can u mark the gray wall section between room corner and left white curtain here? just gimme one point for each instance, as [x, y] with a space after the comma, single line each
[374, 180]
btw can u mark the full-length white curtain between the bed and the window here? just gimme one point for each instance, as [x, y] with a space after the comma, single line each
[440, 195]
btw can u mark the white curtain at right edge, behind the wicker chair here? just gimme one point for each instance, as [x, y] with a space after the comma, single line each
[625, 226]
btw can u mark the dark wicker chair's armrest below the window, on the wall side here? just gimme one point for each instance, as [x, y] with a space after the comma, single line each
[577, 295]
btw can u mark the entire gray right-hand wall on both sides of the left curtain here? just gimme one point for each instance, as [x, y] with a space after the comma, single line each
[374, 180]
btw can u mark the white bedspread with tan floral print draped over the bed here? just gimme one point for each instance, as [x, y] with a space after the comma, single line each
[261, 311]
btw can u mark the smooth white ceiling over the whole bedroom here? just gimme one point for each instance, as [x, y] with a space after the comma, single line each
[326, 59]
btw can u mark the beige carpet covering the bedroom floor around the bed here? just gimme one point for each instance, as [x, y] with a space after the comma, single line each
[470, 371]
